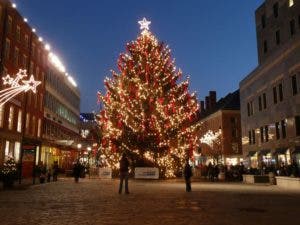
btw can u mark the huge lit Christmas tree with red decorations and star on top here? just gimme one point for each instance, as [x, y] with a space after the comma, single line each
[147, 112]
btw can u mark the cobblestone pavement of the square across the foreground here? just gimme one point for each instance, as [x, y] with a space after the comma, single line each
[94, 201]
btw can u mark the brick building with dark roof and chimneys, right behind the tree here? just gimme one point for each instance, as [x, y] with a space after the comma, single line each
[223, 119]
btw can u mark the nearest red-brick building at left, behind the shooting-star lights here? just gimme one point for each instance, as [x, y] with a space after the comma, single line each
[20, 49]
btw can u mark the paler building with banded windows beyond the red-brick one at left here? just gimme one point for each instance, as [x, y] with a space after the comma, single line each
[61, 120]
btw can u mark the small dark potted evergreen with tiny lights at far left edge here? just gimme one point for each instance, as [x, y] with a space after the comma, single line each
[8, 173]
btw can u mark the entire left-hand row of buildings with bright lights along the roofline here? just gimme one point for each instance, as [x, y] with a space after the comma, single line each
[25, 119]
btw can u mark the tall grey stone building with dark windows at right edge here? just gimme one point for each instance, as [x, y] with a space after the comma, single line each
[270, 95]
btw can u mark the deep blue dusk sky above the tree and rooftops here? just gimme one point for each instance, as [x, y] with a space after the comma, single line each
[214, 42]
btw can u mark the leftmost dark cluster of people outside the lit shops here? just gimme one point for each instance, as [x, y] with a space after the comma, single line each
[45, 174]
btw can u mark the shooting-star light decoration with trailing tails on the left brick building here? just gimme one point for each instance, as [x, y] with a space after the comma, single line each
[16, 87]
